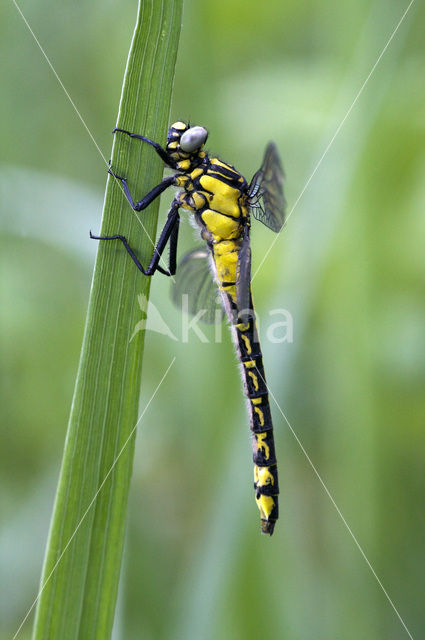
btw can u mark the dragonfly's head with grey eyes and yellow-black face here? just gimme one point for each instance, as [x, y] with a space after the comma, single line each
[184, 144]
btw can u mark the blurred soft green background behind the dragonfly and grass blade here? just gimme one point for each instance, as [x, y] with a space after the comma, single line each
[349, 267]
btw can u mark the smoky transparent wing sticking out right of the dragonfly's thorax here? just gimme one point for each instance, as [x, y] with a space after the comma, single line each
[266, 191]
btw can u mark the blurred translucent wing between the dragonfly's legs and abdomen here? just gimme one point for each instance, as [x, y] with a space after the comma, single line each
[195, 289]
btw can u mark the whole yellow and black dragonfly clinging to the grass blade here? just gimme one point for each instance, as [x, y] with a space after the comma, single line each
[221, 203]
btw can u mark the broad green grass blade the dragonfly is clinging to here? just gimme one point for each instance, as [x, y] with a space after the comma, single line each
[83, 557]
